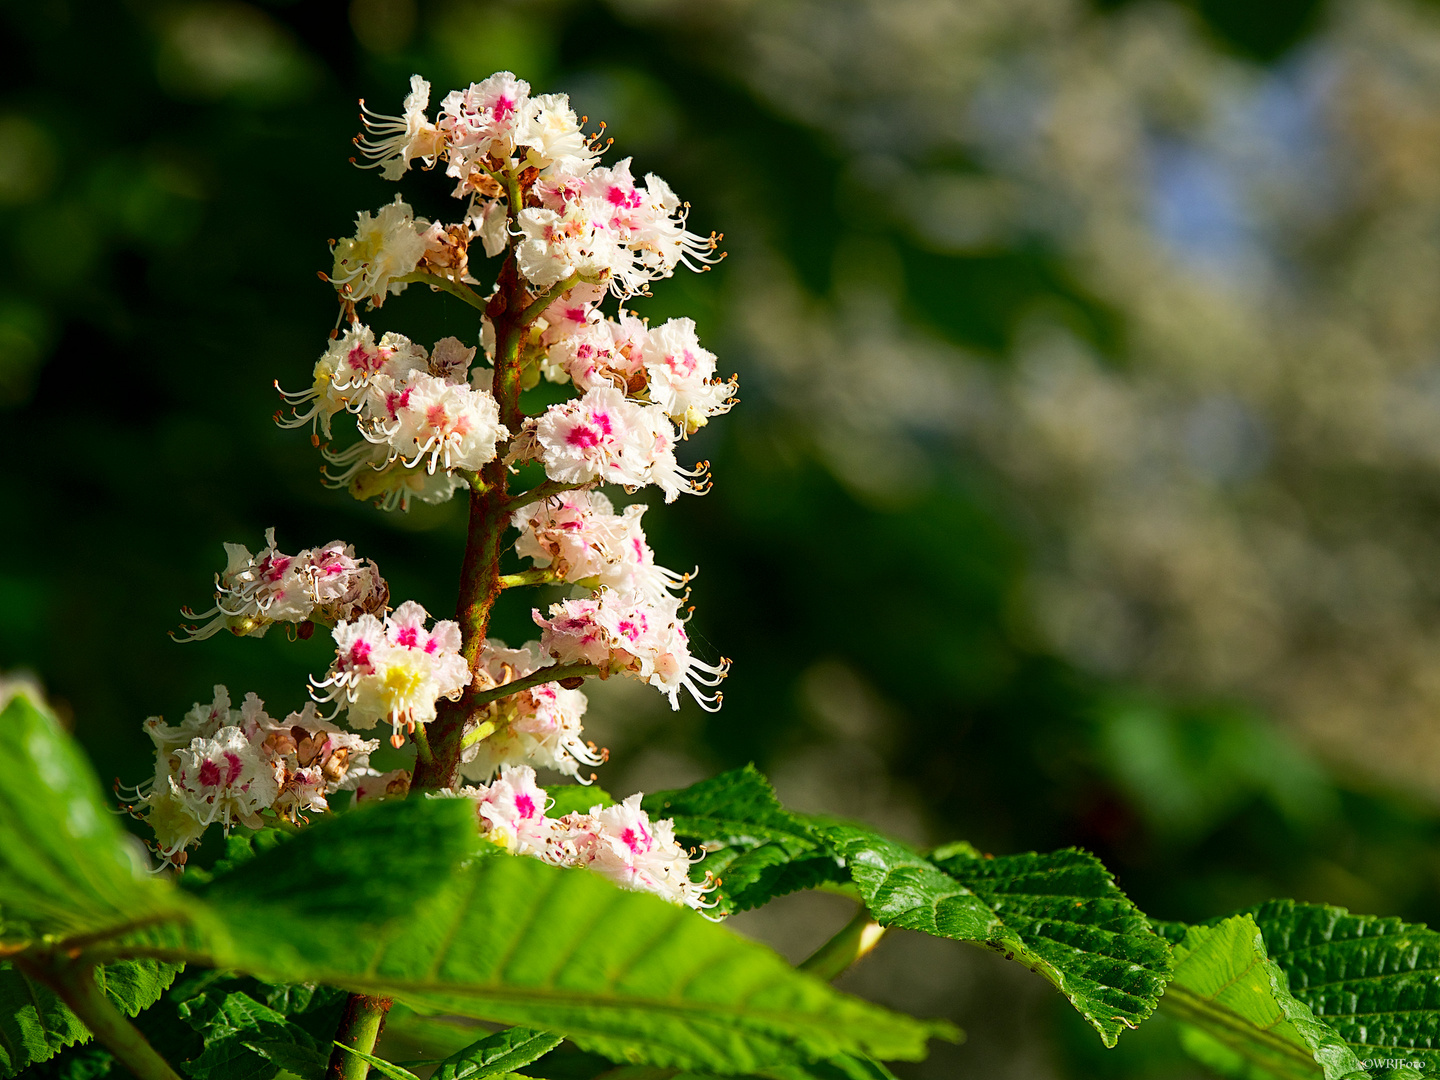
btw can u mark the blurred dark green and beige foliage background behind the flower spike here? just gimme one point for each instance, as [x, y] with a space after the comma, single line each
[1085, 486]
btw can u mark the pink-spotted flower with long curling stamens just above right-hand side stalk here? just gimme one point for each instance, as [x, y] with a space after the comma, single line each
[629, 634]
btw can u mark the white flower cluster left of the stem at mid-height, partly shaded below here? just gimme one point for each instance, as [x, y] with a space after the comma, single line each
[421, 420]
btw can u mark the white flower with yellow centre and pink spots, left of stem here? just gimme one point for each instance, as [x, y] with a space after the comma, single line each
[395, 670]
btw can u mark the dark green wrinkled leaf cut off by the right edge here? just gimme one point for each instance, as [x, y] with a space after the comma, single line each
[1374, 981]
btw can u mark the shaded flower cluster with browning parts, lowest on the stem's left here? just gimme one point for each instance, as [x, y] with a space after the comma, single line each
[231, 765]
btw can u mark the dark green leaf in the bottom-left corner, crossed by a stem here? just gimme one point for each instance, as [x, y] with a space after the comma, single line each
[35, 1025]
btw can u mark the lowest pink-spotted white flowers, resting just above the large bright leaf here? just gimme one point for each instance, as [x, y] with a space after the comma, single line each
[620, 842]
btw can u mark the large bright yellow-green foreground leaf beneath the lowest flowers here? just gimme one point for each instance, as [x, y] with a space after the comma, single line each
[623, 974]
